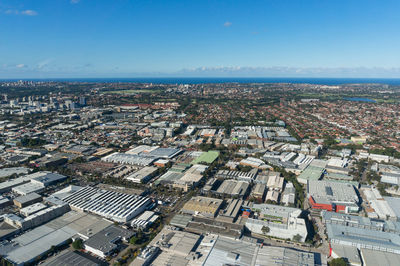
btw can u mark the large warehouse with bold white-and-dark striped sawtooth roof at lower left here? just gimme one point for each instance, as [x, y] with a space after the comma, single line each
[116, 206]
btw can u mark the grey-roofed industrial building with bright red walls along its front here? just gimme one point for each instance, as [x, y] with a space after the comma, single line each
[332, 196]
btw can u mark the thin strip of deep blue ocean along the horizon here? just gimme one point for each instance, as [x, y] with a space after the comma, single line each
[195, 80]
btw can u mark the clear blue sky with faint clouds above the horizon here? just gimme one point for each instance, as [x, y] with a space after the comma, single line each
[128, 38]
